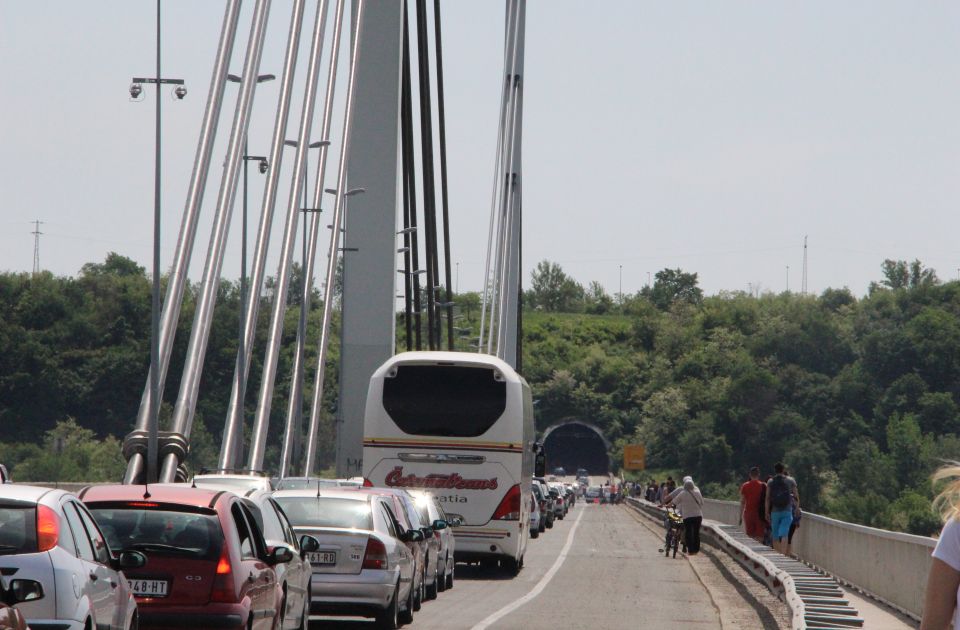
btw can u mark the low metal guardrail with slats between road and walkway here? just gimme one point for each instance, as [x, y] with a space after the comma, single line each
[815, 599]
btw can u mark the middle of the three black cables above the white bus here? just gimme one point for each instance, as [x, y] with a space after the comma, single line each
[426, 156]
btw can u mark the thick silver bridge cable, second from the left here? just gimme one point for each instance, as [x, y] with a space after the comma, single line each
[185, 407]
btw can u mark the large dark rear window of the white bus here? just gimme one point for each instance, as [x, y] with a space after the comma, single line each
[450, 401]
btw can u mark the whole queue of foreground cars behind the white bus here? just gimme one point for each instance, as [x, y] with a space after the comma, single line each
[227, 551]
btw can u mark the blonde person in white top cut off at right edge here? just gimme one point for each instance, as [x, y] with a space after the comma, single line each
[943, 580]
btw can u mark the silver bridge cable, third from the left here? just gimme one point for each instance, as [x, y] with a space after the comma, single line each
[230, 451]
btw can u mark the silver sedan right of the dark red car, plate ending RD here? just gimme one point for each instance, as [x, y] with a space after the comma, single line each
[362, 567]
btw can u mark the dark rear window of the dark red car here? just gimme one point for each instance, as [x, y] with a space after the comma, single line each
[163, 529]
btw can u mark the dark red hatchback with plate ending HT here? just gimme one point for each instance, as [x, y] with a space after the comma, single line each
[209, 566]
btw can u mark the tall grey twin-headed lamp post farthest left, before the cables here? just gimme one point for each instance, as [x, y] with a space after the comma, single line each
[136, 88]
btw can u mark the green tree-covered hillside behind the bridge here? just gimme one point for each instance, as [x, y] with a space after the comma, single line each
[858, 396]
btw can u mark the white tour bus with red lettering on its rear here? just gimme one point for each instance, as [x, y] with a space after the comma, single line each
[461, 426]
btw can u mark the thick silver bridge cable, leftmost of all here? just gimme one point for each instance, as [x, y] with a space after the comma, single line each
[176, 282]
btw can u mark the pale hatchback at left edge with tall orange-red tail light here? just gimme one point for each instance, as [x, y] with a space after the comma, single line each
[49, 536]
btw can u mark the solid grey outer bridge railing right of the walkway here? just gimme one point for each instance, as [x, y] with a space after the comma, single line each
[891, 566]
